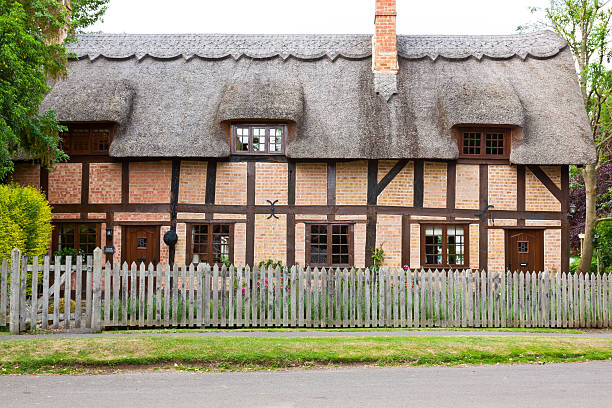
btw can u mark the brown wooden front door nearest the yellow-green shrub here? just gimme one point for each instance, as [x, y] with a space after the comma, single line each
[141, 244]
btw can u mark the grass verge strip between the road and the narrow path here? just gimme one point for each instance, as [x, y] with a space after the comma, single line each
[78, 355]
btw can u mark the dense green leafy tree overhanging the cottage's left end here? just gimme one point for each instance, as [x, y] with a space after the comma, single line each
[33, 34]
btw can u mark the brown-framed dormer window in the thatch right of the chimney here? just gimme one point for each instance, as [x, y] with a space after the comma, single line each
[484, 143]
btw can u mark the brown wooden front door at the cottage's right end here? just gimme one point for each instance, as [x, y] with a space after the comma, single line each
[525, 250]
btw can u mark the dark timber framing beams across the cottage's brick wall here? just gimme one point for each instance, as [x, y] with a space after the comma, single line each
[409, 215]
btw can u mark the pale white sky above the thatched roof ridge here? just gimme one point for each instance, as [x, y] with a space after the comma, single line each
[313, 16]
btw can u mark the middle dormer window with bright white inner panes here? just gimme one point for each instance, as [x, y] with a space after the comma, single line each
[261, 139]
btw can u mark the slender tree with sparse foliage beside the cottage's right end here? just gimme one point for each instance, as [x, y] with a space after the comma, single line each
[585, 24]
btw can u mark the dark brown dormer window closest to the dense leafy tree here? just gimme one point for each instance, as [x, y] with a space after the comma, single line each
[87, 140]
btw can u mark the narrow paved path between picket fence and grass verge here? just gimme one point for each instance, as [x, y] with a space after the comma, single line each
[318, 333]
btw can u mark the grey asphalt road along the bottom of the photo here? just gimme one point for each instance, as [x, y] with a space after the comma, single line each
[542, 386]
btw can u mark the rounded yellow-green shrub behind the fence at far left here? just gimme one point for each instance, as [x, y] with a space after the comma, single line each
[25, 221]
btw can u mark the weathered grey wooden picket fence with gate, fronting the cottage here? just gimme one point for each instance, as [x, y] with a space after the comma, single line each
[201, 296]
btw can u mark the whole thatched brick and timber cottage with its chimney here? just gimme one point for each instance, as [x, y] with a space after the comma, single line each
[444, 151]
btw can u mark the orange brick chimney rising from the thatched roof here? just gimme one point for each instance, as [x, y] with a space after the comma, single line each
[384, 49]
